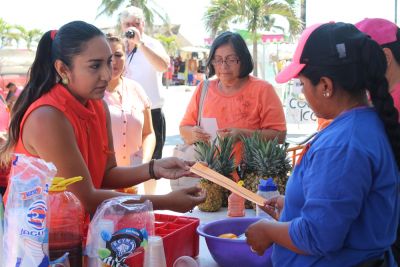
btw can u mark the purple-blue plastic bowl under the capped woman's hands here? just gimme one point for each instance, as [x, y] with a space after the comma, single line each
[232, 252]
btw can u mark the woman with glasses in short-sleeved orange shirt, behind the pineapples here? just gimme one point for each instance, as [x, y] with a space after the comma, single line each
[239, 102]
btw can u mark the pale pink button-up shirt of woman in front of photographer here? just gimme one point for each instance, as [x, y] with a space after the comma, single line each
[127, 105]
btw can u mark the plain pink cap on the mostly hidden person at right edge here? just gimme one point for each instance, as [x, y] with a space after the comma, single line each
[381, 30]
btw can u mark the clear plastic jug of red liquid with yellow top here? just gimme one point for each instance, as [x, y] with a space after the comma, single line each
[66, 217]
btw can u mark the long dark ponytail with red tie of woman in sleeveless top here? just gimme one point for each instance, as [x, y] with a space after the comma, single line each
[64, 45]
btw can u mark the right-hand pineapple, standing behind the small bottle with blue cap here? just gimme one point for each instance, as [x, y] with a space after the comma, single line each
[263, 159]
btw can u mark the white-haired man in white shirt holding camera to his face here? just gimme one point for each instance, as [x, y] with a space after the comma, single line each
[146, 61]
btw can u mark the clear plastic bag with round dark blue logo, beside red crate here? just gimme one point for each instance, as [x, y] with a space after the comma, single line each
[118, 231]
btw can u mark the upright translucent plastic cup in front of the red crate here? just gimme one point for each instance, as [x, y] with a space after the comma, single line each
[154, 254]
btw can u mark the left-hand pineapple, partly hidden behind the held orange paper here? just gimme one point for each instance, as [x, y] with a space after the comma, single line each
[219, 157]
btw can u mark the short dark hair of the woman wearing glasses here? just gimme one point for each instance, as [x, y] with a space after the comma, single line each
[240, 47]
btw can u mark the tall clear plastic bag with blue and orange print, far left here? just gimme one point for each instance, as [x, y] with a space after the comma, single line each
[25, 229]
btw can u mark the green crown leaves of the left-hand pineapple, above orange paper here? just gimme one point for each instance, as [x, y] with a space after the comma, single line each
[218, 154]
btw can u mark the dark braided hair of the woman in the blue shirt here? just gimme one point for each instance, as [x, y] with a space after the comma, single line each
[369, 75]
